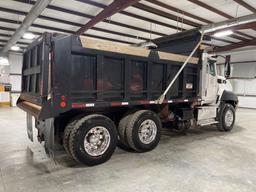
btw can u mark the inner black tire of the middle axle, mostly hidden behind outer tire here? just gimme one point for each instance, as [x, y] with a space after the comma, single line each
[122, 142]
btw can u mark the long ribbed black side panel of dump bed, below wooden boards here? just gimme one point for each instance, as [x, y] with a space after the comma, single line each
[96, 76]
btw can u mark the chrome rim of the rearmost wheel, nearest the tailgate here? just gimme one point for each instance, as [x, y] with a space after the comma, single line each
[97, 141]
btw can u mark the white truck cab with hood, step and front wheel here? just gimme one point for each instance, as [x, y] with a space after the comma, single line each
[218, 101]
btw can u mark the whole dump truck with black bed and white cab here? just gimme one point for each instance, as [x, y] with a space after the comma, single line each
[88, 96]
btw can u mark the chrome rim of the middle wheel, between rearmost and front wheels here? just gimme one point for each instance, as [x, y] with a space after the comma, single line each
[147, 131]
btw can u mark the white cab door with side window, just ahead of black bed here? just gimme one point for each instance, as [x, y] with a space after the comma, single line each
[209, 88]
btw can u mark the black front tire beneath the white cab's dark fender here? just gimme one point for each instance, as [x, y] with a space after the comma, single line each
[223, 125]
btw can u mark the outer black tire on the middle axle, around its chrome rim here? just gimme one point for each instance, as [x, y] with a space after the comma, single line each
[133, 126]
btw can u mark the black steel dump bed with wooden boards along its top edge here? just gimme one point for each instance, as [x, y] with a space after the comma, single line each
[61, 73]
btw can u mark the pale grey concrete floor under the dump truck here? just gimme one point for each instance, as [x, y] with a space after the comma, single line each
[202, 160]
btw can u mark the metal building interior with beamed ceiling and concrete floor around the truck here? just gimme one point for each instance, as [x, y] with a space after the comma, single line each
[202, 159]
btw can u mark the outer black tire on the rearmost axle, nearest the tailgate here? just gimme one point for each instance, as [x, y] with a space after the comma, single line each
[79, 132]
